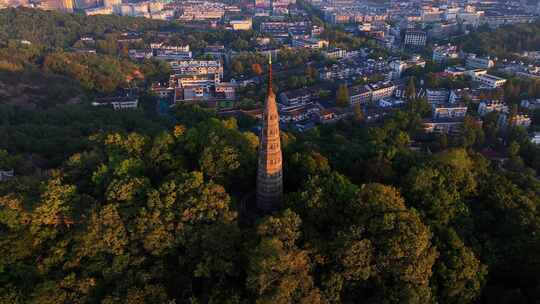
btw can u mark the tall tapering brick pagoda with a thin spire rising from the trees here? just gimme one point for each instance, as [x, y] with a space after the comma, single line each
[269, 173]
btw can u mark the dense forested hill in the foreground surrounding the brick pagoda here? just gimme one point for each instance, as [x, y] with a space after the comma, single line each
[155, 219]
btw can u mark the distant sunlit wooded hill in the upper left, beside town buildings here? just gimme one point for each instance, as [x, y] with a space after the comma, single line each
[39, 68]
